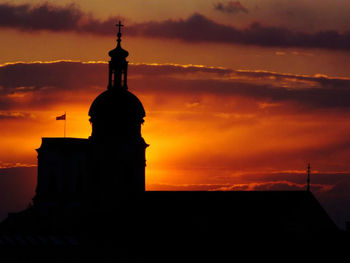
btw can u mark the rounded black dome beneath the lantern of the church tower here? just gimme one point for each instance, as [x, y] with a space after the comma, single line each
[117, 104]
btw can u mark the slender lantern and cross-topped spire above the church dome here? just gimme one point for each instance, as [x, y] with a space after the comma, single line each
[118, 66]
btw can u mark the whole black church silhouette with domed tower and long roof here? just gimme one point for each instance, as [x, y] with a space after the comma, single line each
[91, 204]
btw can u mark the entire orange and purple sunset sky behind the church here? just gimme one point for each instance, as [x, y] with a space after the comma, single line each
[239, 95]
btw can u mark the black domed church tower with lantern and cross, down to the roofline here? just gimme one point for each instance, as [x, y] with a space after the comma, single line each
[118, 159]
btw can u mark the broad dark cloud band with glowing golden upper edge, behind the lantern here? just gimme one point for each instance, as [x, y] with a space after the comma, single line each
[46, 83]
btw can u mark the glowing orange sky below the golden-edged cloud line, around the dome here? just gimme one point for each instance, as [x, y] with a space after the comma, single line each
[205, 125]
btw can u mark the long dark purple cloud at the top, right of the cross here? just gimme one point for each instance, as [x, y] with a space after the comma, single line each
[199, 28]
